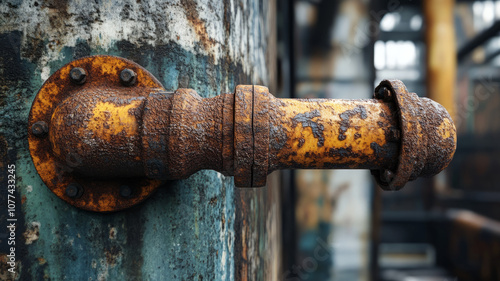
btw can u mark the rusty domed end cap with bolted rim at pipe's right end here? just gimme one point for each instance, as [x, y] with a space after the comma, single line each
[428, 136]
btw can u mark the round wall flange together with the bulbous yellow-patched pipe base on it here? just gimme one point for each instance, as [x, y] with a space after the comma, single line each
[93, 128]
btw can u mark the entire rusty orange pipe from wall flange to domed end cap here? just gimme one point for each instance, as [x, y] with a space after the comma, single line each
[115, 130]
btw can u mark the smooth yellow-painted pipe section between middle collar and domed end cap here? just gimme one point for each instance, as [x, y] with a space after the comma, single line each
[335, 133]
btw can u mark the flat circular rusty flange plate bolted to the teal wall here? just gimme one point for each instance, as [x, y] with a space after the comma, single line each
[100, 195]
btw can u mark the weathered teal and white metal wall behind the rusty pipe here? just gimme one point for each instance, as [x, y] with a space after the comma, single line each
[201, 228]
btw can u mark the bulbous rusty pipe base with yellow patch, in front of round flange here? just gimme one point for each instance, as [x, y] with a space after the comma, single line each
[87, 126]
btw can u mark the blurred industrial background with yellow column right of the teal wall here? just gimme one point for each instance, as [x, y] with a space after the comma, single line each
[338, 225]
